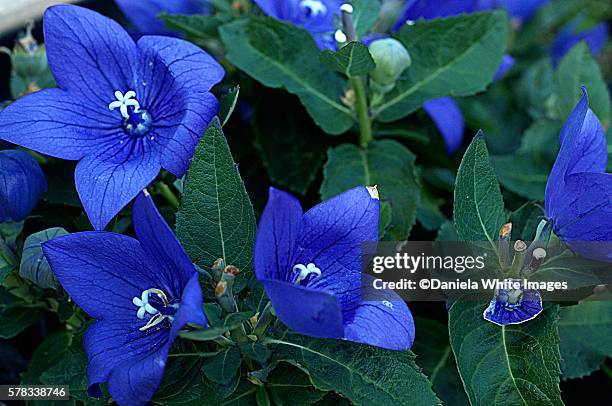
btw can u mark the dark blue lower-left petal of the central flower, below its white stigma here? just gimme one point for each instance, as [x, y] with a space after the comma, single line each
[308, 311]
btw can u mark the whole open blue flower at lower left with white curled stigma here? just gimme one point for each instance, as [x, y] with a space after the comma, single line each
[141, 294]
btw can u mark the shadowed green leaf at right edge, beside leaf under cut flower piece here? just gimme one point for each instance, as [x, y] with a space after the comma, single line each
[585, 331]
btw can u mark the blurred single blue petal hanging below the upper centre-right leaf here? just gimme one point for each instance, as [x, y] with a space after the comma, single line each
[449, 119]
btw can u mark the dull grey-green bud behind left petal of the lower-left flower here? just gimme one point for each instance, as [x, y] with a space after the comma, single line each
[34, 265]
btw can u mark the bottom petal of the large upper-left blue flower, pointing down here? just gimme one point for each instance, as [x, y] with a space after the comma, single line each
[108, 181]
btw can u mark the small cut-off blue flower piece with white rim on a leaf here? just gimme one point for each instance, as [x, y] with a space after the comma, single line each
[513, 306]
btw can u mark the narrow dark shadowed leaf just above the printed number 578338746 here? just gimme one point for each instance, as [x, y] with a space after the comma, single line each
[48, 353]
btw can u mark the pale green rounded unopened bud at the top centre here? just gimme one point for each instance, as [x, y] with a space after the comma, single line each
[391, 58]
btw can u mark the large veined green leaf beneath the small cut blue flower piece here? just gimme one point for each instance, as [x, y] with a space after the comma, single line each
[506, 365]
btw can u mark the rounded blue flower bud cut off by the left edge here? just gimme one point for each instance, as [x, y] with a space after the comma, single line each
[22, 184]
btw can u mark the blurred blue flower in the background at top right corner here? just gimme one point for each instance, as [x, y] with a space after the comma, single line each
[595, 37]
